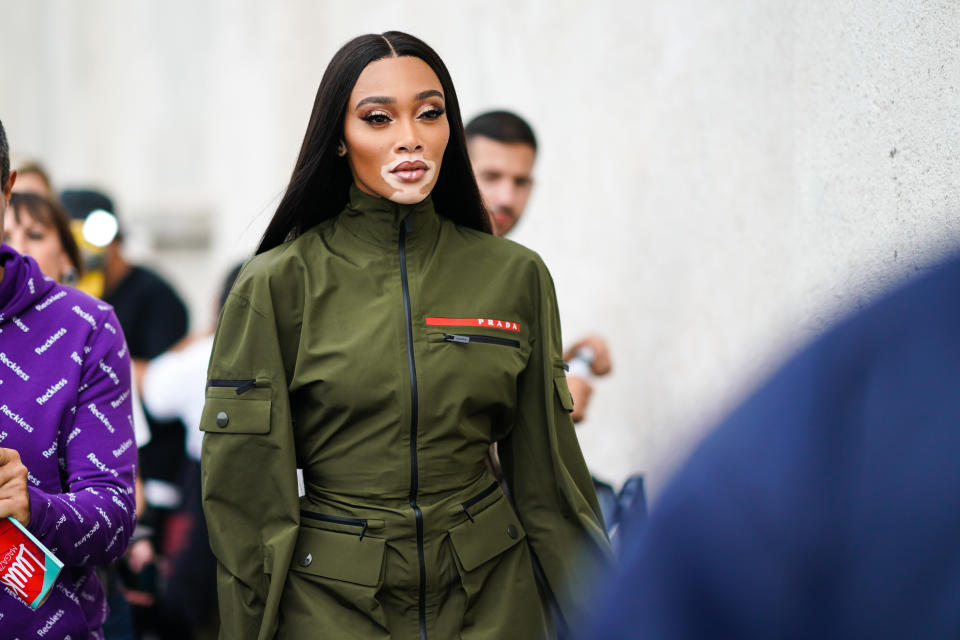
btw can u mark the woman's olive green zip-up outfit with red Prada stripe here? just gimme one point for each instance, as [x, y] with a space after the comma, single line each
[382, 352]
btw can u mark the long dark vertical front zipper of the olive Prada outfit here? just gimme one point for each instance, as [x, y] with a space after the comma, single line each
[405, 228]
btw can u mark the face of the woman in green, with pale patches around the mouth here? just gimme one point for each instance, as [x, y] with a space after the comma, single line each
[396, 129]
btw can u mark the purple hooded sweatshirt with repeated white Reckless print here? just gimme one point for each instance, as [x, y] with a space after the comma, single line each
[65, 407]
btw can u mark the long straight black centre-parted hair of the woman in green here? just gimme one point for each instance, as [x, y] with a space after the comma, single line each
[320, 183]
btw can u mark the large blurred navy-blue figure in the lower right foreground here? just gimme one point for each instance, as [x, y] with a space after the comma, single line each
[827, 506]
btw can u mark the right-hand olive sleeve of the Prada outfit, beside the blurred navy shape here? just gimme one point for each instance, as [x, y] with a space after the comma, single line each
[544, 469]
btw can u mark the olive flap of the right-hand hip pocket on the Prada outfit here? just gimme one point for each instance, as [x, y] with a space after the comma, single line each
[490, 533]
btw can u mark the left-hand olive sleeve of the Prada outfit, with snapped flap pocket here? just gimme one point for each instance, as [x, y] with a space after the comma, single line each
[248, 463]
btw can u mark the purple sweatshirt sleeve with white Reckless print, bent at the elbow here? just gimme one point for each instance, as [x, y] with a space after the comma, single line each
[91, 522]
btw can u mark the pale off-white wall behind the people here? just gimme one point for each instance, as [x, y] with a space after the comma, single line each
[717, 181]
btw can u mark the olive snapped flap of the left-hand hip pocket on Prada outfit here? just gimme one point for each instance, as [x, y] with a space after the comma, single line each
[338, 556]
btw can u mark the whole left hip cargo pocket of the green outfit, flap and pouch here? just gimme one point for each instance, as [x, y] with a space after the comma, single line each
[327, 570]
